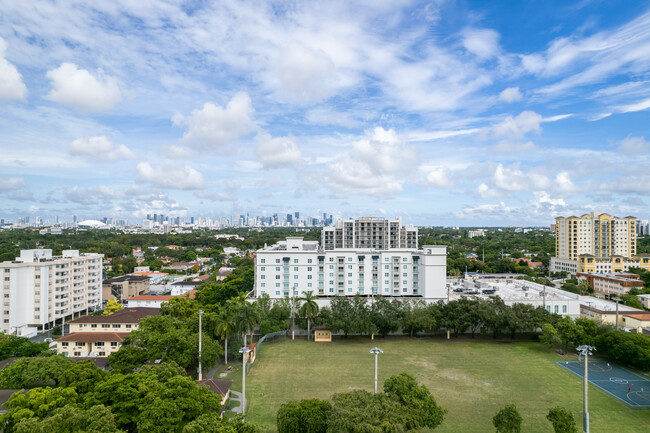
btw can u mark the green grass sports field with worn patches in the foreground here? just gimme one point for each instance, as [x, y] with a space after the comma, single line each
[471, 379]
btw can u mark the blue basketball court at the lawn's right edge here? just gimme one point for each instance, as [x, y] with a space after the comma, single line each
[622, 384]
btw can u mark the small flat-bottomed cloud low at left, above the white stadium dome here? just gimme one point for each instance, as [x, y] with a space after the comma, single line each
[170, 176]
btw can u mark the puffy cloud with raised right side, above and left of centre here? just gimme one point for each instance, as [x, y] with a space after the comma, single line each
[214, 126]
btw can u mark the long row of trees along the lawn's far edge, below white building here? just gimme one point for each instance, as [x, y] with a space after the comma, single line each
[359, 315]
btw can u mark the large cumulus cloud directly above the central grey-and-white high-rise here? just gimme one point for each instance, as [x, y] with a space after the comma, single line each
[376, 165]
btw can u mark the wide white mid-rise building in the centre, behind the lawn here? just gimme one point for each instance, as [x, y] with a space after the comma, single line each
[295, 266]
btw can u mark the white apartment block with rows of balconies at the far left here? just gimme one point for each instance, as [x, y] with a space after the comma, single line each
[39, 289]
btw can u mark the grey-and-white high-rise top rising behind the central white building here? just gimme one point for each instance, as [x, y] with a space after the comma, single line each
[369, 232]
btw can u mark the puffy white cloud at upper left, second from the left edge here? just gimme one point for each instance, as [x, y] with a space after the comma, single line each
[82, 90]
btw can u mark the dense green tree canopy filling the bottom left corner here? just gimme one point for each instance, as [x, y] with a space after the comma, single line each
[72, 396]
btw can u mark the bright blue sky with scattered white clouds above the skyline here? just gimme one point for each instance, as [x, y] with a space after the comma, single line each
[443, 112]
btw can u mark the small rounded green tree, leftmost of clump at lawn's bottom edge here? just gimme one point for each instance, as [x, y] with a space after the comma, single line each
[304, 416]
